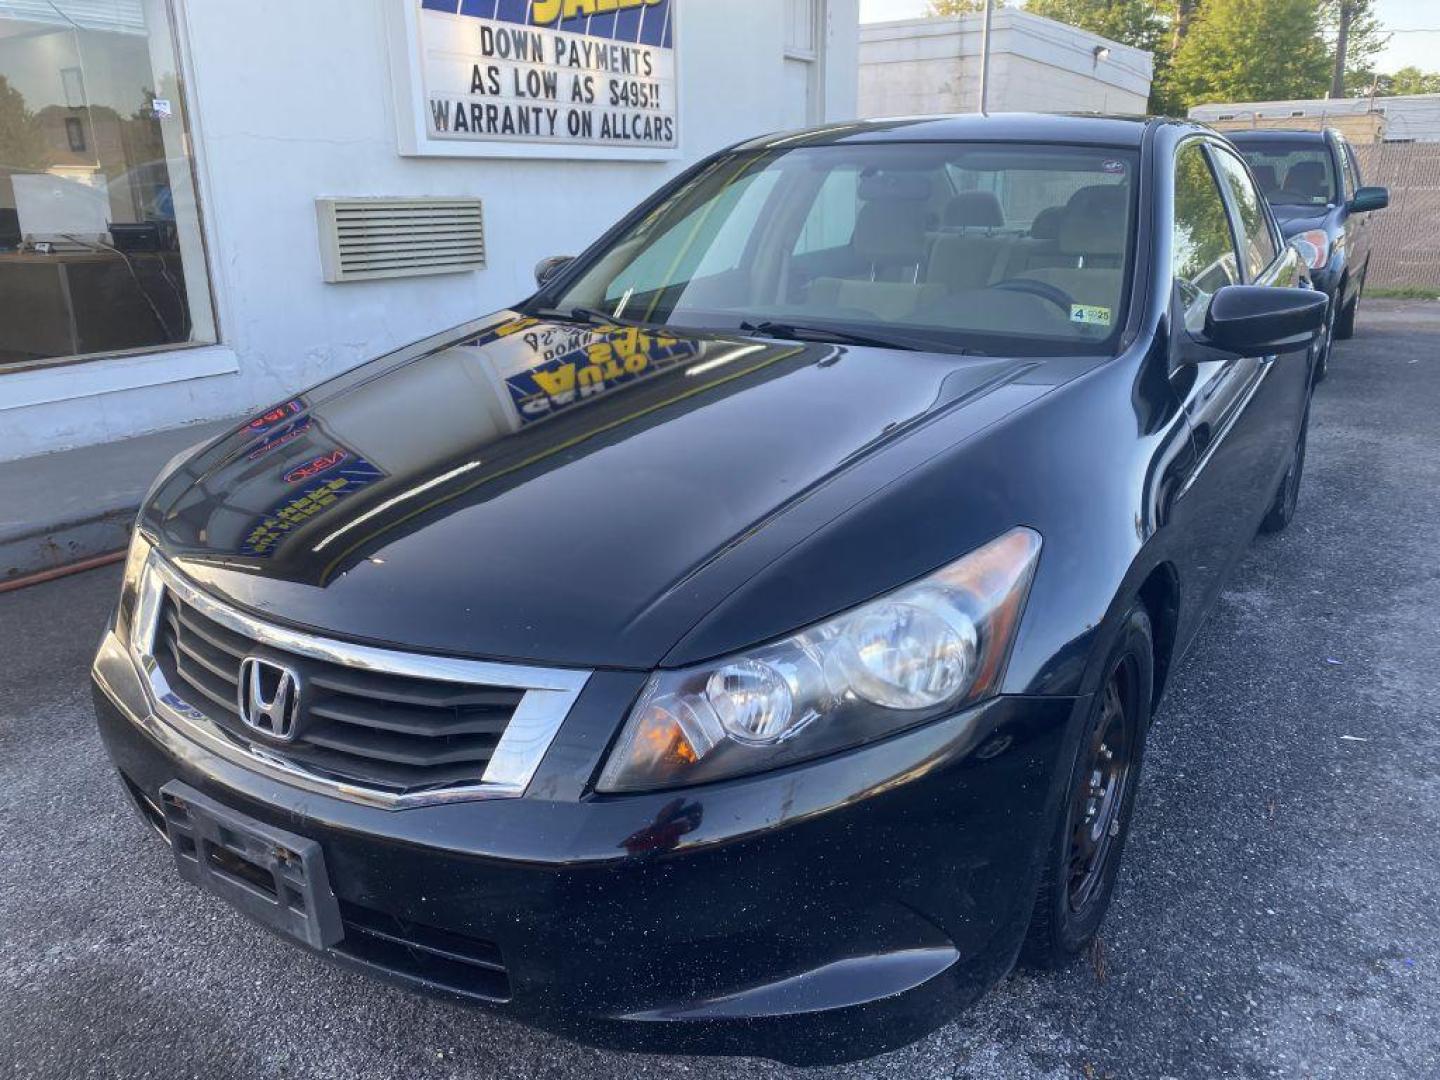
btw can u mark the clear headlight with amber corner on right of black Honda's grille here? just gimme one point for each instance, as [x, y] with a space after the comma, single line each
[925, 650]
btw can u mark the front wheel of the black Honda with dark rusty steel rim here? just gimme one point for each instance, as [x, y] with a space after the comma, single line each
[1095, 819]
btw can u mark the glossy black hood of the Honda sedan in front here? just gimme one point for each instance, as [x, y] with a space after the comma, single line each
[551, 492]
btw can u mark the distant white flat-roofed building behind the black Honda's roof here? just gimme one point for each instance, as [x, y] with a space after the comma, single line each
[922, 67]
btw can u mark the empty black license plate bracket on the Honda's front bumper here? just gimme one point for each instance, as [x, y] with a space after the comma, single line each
[274, 876]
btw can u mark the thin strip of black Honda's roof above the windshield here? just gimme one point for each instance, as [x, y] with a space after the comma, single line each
[1020, 127]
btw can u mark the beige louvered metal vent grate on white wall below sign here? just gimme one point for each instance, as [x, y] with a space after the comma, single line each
[400, 238]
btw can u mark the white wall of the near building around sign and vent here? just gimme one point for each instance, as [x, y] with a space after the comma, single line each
[292, 102]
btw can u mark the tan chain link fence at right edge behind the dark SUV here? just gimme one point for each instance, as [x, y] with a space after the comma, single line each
[1406, 237]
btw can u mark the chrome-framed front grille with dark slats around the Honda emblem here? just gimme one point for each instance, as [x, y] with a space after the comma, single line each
[391, 728]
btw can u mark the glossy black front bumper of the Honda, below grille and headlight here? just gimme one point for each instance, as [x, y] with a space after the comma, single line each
[819, 914]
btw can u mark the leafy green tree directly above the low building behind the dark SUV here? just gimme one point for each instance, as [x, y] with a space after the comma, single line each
[1252, 51]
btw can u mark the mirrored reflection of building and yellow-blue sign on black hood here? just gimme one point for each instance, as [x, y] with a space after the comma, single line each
[496, 397]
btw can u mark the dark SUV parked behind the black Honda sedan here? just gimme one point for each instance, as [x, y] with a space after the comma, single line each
[1314, 185]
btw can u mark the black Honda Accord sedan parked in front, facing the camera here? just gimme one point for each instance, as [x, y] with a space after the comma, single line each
[748, 643]
